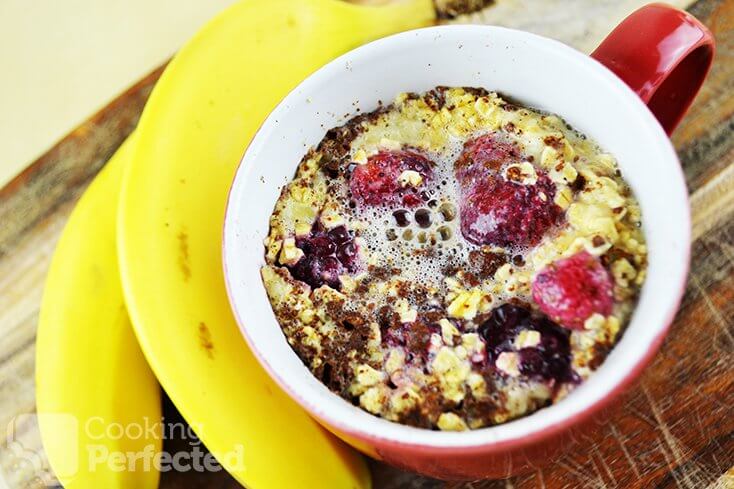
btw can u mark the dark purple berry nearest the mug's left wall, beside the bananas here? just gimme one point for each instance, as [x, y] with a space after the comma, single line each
[326, 256]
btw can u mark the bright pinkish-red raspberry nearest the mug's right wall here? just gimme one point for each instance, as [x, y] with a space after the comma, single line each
[572, 289]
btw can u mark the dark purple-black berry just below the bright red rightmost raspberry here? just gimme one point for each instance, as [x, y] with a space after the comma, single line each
[549, 360]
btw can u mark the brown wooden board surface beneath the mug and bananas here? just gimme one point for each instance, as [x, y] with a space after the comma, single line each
[675, 429]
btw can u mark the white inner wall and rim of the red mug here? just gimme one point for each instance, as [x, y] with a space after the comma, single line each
[532, 70]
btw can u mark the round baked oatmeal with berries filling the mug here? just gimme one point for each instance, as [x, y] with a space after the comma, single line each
[453, 261]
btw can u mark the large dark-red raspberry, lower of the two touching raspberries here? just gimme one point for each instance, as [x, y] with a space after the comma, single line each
[504, 213]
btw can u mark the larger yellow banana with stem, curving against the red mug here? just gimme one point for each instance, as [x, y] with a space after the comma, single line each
[193, 132]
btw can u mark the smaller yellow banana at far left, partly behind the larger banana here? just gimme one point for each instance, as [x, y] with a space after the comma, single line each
[96, 396]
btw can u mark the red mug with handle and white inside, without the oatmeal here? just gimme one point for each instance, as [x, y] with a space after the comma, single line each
[663, 56]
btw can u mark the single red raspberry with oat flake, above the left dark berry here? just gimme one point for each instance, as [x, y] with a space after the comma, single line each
[377, 181]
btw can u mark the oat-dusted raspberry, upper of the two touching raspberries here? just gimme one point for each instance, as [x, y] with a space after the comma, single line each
[483, 156]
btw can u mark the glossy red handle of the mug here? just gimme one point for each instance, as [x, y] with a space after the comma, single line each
[663, 54]
